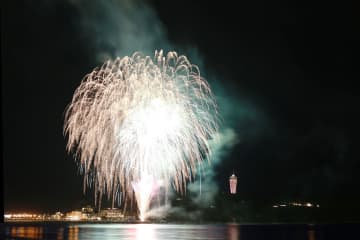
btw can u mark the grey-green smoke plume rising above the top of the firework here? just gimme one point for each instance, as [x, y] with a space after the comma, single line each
[120, 27]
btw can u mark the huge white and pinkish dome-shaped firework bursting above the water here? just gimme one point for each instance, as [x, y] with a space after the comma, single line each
[138, 118]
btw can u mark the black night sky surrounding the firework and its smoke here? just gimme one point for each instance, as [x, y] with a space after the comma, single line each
[293, 64]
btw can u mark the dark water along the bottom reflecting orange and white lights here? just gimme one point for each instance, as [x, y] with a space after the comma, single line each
[74, 231]
